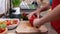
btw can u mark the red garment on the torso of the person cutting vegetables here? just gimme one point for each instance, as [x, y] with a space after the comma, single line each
[56, 23]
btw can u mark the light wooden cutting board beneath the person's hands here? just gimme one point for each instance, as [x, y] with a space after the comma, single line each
[26, 28]
